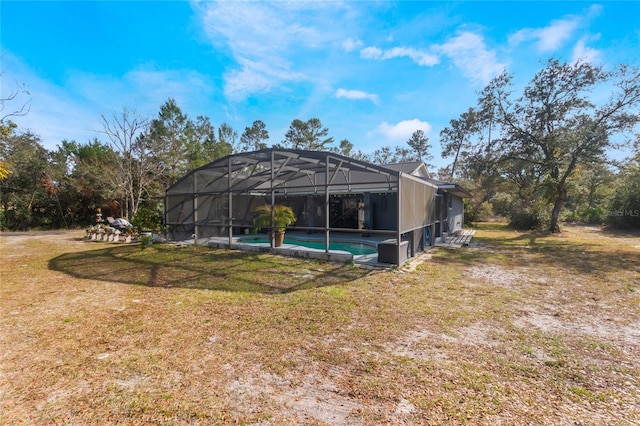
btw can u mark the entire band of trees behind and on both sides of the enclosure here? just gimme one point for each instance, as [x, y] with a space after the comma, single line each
[538, 157]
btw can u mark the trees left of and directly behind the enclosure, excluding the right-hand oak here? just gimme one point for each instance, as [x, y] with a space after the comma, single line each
[134, 161]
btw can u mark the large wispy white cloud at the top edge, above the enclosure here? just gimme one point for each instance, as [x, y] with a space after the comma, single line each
[264, 39]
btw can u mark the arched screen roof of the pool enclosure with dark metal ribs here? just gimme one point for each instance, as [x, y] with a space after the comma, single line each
[287, 171]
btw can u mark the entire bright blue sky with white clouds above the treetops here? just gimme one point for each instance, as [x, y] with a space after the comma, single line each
[373, 72]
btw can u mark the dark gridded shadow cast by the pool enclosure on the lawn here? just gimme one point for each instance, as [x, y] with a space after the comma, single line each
[202, 268]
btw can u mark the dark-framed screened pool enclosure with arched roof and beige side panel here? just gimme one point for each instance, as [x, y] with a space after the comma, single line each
[330, 195]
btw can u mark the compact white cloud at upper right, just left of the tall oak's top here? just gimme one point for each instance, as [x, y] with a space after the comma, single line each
[469, 53]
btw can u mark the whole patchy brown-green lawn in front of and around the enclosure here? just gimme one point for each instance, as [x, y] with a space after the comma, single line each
[522, 328]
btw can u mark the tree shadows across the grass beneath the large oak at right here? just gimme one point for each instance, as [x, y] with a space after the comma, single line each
[597, 256]
